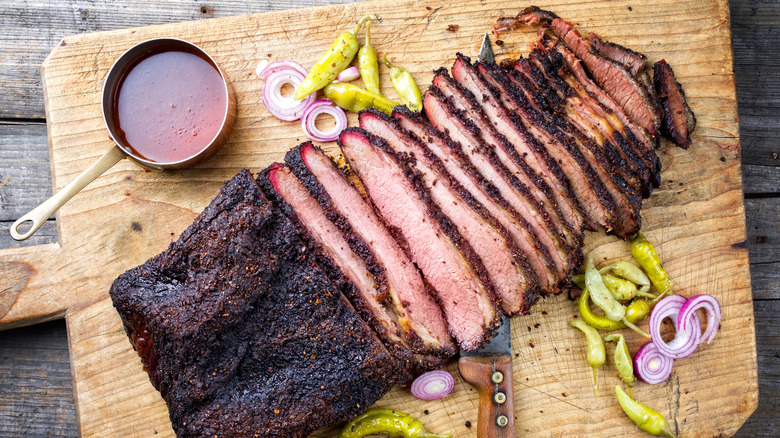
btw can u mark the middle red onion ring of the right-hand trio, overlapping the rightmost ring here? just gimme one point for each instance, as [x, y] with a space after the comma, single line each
[684, 342]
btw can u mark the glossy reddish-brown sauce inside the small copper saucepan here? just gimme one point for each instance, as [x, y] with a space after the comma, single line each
[169, 105]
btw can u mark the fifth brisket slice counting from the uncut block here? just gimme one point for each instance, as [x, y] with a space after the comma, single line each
[455, 161]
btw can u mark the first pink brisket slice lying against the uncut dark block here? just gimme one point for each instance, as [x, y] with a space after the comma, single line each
[367, 292]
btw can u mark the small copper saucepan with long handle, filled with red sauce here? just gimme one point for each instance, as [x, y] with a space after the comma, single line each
[166, 104]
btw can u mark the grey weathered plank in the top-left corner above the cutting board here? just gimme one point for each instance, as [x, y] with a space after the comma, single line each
[32, 29]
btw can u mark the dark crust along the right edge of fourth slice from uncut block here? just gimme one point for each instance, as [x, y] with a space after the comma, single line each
[427, 161]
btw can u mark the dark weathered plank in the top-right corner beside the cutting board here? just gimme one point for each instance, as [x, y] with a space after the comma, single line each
[756, 44]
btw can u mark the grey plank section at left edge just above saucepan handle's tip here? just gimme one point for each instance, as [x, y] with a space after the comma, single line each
[25, 174]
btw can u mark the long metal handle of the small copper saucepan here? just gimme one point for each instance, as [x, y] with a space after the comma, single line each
[41, 213]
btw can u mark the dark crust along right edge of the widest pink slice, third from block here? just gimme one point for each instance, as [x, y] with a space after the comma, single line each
[443, 224]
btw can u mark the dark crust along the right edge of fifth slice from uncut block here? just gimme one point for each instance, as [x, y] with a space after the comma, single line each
[426, 132]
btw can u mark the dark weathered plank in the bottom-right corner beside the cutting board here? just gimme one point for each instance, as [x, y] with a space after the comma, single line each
[764, 422]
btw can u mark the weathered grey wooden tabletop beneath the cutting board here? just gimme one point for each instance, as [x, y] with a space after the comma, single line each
[35, 382]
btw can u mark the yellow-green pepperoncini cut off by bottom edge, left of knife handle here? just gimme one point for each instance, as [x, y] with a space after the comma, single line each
[387, 422]
